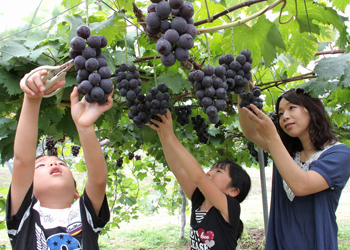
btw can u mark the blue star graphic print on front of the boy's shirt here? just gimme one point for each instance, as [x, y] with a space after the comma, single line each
[56, 241]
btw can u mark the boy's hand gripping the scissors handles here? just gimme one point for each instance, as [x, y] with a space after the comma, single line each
[35, 88]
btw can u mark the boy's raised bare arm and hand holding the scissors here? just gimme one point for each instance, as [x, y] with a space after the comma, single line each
[26, 138]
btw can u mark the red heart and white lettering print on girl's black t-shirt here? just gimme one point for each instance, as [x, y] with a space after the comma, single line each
[201, 239]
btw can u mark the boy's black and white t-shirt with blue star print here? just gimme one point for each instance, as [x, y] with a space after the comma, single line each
[36, 227]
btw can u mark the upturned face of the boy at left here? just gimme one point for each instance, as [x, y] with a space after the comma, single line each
[52, 173]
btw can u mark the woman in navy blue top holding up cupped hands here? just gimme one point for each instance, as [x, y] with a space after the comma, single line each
[310, 171]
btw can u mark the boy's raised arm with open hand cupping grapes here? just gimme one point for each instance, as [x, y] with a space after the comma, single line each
[84, 115]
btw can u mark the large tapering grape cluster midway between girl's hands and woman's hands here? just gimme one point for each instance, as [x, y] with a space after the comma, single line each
[211, 90]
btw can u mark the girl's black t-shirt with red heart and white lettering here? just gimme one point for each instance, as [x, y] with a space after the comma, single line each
[214, 232]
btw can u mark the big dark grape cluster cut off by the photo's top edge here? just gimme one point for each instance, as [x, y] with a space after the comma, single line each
[174, 19]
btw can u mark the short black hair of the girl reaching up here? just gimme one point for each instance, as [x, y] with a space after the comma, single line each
[239, 178]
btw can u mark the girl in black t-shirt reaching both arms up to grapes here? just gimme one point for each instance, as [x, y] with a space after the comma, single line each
[215, 195]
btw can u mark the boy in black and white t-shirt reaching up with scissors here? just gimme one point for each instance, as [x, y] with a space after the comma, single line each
[41, 212]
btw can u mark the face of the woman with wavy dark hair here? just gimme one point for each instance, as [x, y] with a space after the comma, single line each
[294, 119]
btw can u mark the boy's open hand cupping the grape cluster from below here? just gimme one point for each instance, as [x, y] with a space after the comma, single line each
[85, 114]
